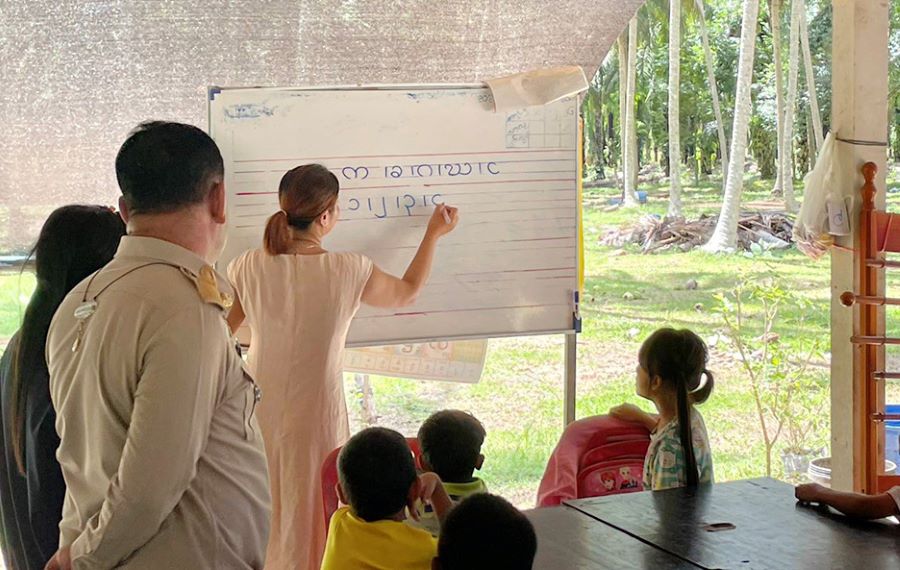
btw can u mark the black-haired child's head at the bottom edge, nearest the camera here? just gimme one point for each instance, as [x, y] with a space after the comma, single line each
[486, 532]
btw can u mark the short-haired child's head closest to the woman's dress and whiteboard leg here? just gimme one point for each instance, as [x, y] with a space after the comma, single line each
[450, 441]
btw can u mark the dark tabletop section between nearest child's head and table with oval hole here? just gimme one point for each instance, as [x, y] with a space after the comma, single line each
[570, 540]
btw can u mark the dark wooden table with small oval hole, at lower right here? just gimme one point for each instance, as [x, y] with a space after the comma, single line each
[770, 529]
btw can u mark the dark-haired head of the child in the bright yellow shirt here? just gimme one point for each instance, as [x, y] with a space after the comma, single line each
[376, 471]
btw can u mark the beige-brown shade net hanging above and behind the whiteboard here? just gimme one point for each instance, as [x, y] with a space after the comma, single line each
[77, 76]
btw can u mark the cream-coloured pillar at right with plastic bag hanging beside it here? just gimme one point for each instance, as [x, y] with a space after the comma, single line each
[859, 107]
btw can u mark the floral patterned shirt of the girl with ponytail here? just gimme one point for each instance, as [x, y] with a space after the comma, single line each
[664, 464]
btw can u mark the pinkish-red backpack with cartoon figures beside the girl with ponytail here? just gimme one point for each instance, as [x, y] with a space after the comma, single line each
[595, 456]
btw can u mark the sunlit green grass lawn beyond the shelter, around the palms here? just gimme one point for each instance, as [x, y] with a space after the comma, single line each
[627, 296]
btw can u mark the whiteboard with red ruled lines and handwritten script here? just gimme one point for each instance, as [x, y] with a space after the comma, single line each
[512, 264]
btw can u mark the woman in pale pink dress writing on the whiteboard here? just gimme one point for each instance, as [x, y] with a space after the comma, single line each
[298, 300]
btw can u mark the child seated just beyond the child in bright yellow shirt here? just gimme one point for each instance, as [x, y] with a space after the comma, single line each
[450, 441]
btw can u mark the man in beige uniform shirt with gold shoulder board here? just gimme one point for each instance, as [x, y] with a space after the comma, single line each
[161, 453]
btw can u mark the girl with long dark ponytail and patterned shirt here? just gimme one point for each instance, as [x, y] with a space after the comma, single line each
[672, 374]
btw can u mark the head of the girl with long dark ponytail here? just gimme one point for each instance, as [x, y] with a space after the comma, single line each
[671, 371]
